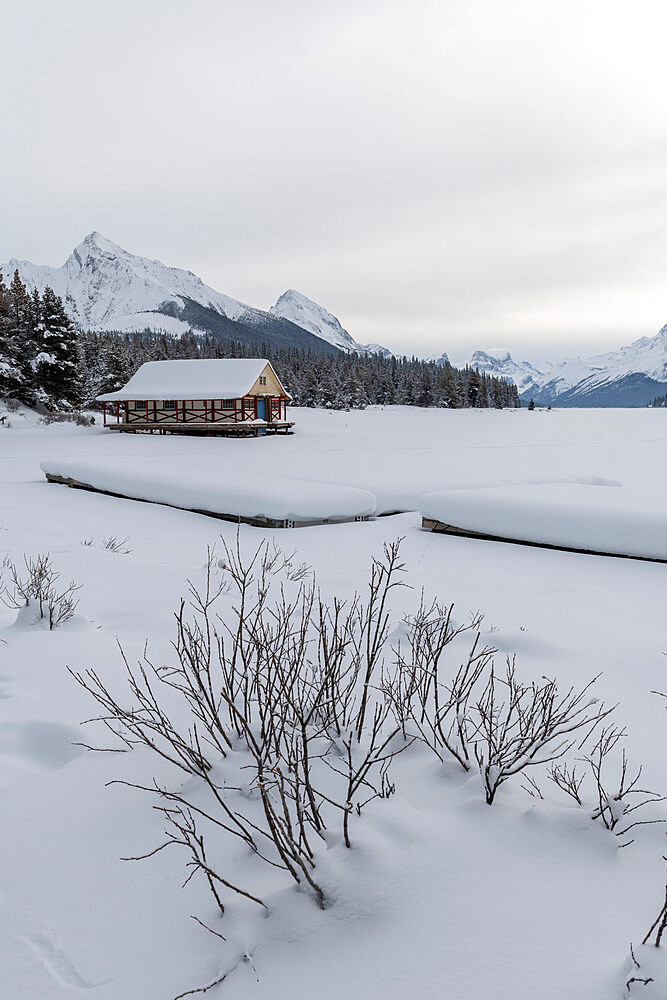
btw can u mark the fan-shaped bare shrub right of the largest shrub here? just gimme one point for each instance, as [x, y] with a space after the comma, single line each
[518, 726]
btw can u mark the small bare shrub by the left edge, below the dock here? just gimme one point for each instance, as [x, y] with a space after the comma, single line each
[40, 586]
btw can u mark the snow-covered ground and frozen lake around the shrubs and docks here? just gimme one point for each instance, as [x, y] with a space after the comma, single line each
[442, 896]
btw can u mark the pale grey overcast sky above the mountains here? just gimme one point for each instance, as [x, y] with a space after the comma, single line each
[440, 175]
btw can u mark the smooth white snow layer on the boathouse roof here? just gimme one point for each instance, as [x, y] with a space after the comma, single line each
[210, 378]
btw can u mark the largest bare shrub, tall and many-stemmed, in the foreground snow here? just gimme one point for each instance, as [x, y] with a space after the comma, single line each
[287, 682]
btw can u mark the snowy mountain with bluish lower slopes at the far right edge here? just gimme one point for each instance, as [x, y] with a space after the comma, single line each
[632, 376]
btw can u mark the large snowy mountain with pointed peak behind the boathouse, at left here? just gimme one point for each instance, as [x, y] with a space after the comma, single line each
[104, 287]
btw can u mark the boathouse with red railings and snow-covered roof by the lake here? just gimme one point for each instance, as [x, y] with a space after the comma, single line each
[239, 396]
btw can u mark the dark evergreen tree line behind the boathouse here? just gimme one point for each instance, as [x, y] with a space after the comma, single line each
[45, 360]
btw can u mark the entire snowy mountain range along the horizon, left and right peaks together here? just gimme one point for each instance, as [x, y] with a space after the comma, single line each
[104, 287]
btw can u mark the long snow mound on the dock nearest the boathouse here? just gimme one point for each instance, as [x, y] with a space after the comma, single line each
[193, 486]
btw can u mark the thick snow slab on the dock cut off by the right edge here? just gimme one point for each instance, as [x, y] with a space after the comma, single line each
[616, 521]
